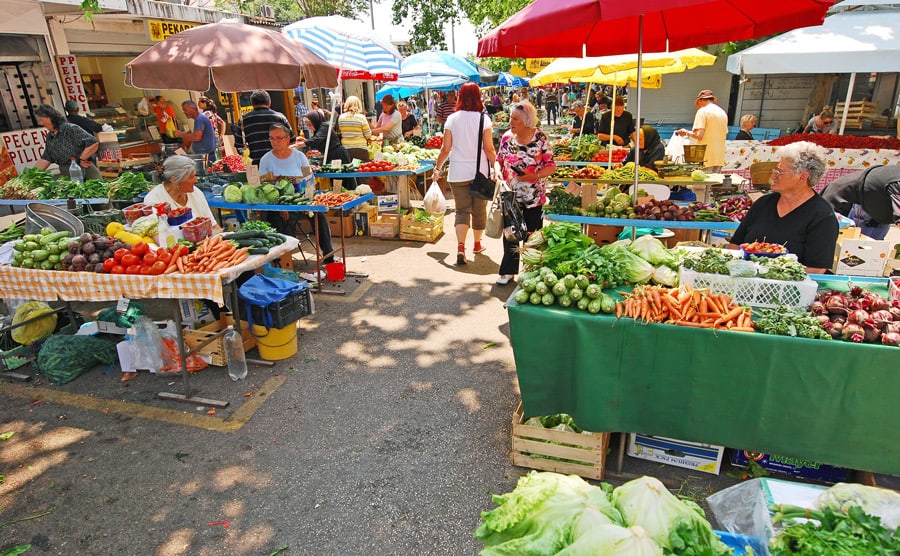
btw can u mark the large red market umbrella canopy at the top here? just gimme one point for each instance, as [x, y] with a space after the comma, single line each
[574, 28]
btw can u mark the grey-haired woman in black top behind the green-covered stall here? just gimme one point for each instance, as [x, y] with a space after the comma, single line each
[794, 215]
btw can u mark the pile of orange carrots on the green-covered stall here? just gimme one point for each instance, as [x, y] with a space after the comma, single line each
[685, 306]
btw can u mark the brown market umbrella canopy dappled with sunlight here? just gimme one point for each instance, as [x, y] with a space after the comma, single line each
[233, 56]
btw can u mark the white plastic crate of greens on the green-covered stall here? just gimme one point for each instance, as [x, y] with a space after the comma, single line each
[755, 292]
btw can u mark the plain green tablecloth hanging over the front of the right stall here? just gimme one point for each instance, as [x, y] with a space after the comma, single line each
[826, 401]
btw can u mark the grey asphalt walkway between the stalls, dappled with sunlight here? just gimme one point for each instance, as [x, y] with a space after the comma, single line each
[386, 433]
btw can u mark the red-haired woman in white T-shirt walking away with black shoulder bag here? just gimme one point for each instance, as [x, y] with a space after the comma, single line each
[461, 148]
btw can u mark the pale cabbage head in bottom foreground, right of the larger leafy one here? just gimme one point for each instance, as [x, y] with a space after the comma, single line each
[676, 525]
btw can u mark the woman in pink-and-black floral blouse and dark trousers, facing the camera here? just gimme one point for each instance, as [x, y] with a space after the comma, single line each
[525, 160]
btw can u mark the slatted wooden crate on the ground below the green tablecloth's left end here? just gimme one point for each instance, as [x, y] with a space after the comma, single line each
[586, 452]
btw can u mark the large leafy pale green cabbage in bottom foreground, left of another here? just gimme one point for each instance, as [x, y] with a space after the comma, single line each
[538, 517]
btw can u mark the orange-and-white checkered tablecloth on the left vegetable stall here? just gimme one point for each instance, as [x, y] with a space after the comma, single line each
[50, 285]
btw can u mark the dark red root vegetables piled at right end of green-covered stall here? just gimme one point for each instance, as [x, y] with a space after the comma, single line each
[858, 316]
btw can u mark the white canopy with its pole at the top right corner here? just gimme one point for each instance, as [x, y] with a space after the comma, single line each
[848, 42]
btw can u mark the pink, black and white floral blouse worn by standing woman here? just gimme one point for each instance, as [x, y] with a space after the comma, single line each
[531, 157]
